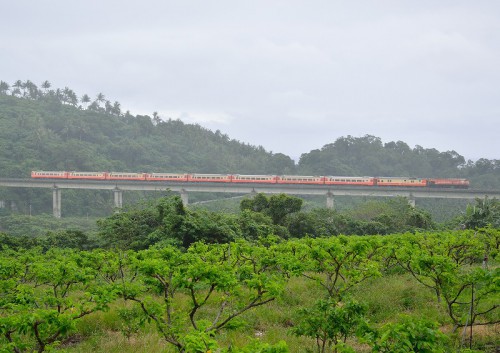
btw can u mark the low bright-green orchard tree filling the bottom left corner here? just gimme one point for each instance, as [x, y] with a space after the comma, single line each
[43, 296]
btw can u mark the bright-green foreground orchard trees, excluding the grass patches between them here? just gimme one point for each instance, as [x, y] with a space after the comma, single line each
[192, 297]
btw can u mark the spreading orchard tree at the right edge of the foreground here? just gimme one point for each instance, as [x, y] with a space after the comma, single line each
[446, 263]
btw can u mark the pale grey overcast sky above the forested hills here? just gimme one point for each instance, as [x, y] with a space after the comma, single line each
[288, 75]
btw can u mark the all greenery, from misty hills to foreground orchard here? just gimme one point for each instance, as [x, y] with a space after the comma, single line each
[274, 275]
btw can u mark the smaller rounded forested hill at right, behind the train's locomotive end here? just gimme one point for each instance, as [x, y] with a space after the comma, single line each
[369, 156]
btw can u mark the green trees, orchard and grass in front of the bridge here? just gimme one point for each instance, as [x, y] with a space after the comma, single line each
[199, 281]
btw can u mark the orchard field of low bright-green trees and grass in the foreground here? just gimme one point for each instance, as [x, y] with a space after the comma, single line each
[396, 293]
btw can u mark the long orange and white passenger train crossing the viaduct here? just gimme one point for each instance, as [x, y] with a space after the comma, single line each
[259, 179]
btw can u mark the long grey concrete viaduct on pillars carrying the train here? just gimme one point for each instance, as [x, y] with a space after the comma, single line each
[329, 191]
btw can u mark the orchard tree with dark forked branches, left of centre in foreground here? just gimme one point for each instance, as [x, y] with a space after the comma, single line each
[231, 278]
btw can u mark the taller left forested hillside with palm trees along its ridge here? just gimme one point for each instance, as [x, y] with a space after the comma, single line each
[53, 130]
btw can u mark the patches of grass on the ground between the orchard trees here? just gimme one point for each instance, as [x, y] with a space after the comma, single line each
[386, 297]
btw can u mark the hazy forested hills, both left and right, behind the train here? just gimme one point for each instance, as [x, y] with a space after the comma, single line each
[55, 129]
